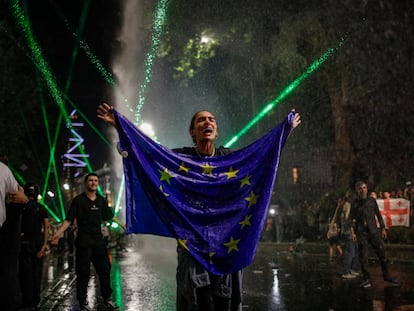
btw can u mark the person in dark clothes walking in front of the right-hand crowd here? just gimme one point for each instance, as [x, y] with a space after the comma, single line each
[365, 214]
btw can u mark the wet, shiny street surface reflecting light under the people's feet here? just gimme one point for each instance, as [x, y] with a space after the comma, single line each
[282, 277]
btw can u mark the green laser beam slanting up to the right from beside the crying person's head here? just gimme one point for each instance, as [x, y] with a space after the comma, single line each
[285, 92]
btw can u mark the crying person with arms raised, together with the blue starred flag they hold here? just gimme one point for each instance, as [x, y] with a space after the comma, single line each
[213, 200]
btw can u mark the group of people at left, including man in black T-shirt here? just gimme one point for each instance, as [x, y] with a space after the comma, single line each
[24, 239]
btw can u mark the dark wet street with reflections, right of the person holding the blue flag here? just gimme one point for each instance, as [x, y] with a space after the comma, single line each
[303, 281]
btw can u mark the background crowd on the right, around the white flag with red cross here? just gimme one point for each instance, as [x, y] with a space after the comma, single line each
[351, 225]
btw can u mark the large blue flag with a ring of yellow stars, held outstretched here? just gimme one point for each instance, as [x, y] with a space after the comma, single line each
[214, 206]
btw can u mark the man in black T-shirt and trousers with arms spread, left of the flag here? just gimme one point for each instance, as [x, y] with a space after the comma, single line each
[90, 209]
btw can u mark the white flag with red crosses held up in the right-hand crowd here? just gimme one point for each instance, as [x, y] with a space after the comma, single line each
[395, 212]
